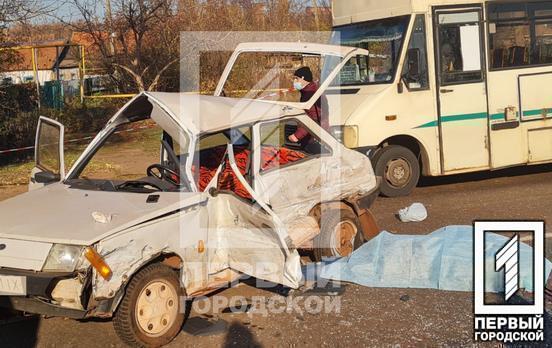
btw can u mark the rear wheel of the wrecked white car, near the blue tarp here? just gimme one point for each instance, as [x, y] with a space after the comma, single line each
[340, 234]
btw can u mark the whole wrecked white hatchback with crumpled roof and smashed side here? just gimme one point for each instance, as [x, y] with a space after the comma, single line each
[176, 197]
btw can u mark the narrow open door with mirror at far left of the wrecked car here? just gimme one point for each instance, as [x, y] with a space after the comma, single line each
[49, 161]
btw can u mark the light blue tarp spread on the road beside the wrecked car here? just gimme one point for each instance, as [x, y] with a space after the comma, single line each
[441, 260]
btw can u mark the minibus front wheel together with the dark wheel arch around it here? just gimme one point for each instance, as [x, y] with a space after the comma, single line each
[400, 161]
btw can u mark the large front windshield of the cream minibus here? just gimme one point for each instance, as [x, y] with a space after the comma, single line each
[383, 39]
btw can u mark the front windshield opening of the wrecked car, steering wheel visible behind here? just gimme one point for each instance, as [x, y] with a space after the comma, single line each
[138, 156]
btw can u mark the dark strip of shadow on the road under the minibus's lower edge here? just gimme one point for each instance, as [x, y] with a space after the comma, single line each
[485, 175]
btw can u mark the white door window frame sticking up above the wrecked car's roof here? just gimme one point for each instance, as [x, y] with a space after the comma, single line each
[332, 60]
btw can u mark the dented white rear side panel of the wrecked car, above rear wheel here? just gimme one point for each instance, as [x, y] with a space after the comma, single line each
[294, 190]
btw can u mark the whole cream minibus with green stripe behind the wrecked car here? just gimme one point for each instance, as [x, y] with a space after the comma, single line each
[448, 87]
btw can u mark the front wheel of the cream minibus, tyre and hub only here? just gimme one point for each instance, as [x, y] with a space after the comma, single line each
[399, 169]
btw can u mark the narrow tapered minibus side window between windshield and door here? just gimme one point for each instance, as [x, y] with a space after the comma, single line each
[415, 71]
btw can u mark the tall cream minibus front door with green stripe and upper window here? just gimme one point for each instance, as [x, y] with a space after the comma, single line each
[462, 95]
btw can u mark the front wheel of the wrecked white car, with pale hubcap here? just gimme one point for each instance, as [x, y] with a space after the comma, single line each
[151, 312]
